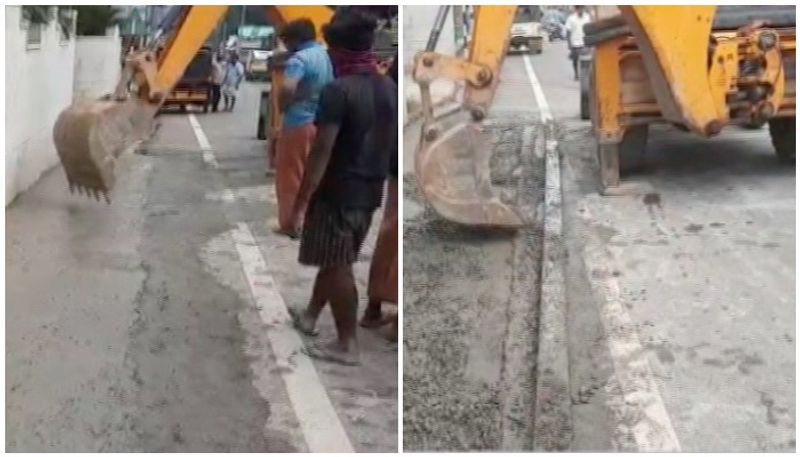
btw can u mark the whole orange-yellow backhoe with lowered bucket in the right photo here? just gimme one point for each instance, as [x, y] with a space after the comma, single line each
[698, 68]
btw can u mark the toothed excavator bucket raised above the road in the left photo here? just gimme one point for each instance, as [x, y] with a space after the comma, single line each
[90, 135]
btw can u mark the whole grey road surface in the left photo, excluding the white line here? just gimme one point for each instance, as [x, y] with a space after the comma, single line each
[131, 327]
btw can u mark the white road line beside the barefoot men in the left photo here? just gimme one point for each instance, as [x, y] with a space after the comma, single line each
[320, 425]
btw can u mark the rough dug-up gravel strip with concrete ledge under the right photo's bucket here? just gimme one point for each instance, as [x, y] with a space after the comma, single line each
[471, 300]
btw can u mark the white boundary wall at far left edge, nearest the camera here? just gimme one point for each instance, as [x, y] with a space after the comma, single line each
[39, 83]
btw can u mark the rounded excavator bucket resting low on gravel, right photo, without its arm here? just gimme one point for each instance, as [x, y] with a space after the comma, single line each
[454, 175]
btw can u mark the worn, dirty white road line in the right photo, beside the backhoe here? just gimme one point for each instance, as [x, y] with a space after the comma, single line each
[653, 431]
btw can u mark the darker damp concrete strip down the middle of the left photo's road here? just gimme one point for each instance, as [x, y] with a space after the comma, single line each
[174, 319]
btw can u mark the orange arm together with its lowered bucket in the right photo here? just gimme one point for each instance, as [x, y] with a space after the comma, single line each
[452, 163]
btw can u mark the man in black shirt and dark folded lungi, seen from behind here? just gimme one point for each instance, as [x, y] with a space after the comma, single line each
[348, 164]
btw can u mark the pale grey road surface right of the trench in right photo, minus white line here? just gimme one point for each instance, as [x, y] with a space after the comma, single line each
[705, 264]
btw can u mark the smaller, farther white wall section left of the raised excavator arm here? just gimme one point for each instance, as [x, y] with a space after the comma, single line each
[97, 65]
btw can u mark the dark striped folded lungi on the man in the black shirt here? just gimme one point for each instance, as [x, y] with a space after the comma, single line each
[333, 235]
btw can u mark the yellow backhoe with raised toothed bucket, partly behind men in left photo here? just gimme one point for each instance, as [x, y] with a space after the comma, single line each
[90, 136]
